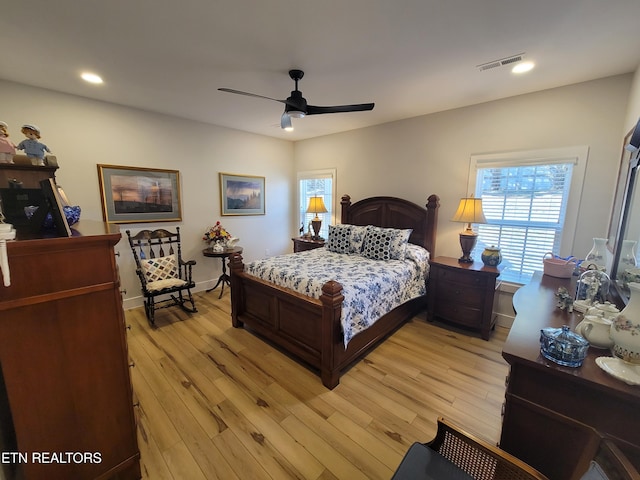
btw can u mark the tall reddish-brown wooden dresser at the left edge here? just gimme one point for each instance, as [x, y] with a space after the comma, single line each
[65, 385]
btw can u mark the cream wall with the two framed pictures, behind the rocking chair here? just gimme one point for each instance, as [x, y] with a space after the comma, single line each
[83, 133]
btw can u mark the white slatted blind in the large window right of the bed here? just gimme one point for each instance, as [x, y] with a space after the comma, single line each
[525, 206]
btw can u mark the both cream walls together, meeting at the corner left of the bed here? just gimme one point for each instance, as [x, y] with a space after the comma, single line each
[410, 158]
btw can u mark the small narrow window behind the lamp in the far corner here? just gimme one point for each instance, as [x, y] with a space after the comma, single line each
[317, 183]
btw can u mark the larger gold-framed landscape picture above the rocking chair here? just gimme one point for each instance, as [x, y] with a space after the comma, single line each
[139, 195]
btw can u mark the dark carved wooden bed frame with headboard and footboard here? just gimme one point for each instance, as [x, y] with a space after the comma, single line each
[310, 329]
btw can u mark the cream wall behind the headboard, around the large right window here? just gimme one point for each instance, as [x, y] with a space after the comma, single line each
[416, 157]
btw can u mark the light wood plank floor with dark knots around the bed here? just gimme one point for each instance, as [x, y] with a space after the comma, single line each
[216, 402]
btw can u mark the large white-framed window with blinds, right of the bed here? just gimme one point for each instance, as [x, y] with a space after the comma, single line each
[530, 202]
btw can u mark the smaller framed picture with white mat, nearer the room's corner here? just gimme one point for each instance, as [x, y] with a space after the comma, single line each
[241, 194]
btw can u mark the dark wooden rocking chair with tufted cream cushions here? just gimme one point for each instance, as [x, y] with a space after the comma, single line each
[162, 271]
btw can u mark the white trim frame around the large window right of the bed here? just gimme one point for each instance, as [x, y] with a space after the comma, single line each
[578, 155]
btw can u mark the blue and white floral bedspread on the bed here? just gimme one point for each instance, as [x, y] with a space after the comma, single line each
[371, 288]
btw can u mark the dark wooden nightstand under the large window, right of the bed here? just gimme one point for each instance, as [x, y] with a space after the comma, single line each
[463, 293]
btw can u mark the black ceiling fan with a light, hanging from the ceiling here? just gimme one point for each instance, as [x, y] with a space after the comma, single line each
[296, 105]
